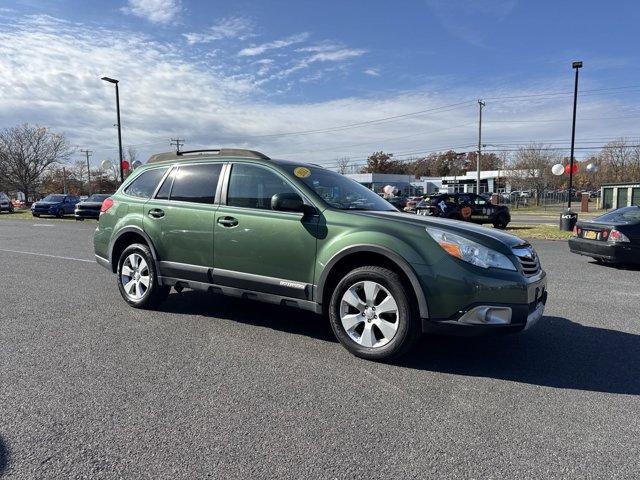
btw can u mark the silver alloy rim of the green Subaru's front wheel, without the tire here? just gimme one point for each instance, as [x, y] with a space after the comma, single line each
[369, 314]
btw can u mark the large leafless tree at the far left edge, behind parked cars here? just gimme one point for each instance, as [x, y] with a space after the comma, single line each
[26, 152]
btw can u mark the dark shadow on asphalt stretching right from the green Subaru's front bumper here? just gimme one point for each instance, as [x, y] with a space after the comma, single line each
[555, 353]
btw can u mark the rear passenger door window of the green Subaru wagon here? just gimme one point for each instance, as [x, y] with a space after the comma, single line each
[196, 183]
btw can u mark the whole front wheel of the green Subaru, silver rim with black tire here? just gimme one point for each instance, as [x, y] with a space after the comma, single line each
[371, 315]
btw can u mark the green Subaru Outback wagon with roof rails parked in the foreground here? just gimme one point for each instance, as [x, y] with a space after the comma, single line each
[238, 223]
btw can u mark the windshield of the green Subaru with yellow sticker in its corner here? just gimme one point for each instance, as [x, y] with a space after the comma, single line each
[339, 191]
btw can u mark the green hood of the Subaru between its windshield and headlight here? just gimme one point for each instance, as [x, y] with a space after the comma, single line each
[487, 236]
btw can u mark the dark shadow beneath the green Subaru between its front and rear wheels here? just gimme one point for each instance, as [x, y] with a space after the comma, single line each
[285, 319]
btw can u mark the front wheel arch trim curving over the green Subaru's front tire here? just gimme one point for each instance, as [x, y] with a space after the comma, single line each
[353, 256]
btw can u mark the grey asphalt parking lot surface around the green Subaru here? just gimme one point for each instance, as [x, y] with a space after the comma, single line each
[210, 386]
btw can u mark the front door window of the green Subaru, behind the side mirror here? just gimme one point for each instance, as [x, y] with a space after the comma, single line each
[252, 186]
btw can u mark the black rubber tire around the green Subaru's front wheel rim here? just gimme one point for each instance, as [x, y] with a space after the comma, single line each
[408, 330]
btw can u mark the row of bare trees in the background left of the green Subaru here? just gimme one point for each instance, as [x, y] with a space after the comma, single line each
[36, 161]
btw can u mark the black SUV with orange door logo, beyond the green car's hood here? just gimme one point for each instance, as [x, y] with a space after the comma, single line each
[465, 206]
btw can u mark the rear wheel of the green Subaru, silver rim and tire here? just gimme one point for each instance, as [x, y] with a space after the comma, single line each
[137, 278]
